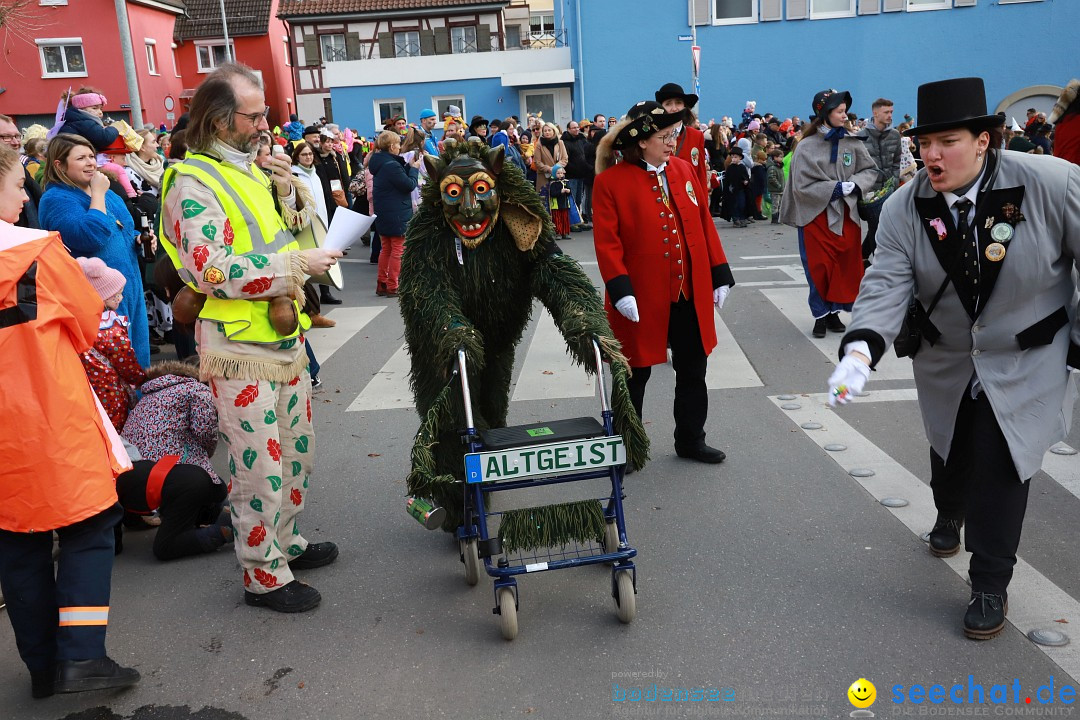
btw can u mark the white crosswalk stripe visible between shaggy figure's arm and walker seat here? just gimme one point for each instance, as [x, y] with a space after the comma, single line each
[548, 371]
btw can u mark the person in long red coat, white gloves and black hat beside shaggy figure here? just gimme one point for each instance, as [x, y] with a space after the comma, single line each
[663, 265]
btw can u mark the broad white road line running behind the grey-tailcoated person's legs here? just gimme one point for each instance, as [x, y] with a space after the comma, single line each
[1034, 601]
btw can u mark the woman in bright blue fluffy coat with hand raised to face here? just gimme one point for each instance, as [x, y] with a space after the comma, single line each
[89, 233]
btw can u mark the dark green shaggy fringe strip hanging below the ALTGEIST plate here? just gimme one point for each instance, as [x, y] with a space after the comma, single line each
[552, 526]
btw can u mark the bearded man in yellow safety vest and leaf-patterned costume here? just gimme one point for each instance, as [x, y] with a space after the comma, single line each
[223, 228]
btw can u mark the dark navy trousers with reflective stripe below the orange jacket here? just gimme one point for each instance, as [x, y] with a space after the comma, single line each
[80, 587]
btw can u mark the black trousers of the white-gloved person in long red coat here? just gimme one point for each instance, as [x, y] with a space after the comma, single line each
[690, 362]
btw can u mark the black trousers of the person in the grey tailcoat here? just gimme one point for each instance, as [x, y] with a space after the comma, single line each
[979, 484]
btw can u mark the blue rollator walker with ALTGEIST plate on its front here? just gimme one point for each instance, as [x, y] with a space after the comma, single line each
[534, 456]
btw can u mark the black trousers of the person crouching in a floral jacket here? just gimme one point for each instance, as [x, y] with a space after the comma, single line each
[190, 499]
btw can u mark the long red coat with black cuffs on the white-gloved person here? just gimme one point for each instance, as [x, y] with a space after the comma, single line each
[639, 248]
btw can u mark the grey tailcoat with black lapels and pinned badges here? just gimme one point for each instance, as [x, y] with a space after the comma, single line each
[1024, 330]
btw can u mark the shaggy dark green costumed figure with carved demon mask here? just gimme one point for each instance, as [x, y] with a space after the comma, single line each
[479, 250]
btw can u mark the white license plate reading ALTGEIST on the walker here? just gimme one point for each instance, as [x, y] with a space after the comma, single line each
[571, 457]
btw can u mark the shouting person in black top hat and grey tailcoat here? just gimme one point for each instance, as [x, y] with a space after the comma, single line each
[988, 241]
